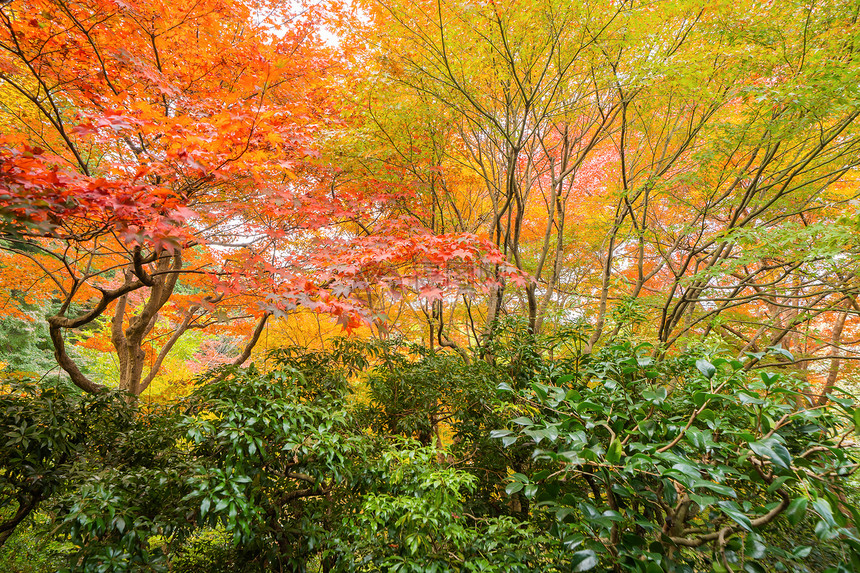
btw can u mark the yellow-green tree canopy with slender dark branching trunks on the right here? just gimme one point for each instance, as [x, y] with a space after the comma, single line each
[684, 162]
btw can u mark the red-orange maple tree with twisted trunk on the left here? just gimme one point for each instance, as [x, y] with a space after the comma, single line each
[158, 165]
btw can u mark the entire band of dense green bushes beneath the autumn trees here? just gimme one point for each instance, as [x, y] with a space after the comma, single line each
[553, 461]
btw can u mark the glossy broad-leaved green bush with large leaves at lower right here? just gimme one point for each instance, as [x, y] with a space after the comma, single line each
[683, 464]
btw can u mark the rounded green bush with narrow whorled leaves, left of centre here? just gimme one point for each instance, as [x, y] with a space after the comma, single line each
[278, 460]
